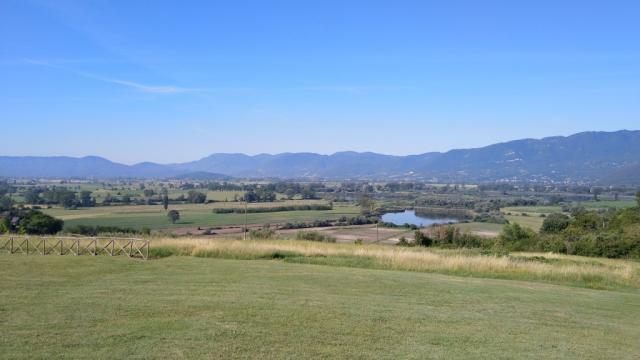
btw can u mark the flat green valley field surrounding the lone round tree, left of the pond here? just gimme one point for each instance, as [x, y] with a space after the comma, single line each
[191, 215]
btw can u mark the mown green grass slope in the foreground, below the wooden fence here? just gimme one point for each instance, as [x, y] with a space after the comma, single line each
[185, 307]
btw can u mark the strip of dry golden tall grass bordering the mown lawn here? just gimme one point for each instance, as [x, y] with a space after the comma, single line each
[554, 268]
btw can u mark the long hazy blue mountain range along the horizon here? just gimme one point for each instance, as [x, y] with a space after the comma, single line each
[590, 157]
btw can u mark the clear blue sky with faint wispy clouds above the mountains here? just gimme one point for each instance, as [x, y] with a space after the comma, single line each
[171, 81]
